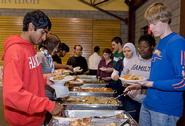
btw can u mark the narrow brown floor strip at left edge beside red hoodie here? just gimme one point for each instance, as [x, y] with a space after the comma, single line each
[2, 121]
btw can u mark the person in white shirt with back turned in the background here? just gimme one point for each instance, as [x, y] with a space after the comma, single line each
[94, 60]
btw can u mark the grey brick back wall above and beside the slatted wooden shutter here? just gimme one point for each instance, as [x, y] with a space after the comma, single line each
[74, 14]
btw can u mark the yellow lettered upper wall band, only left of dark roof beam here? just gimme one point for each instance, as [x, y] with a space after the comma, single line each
[43, 4]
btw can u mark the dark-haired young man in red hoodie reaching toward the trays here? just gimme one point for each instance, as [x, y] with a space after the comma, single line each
[24, 99]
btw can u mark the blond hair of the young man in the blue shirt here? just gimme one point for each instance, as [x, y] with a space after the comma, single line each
[158, 12]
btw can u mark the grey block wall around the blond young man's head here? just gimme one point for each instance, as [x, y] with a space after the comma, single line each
[173, 4]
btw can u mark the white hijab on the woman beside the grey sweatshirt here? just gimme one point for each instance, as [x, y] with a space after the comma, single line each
[134, 54]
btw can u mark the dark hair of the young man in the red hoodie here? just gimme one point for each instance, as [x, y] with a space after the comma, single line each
[38, 18]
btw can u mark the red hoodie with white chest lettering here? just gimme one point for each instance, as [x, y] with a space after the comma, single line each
[24, 98]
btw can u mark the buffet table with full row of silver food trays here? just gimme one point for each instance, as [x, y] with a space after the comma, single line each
[91, 104]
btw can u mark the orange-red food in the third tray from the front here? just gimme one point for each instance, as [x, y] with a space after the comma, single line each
[89, 89]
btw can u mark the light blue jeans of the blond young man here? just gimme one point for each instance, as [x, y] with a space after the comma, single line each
[151, 118]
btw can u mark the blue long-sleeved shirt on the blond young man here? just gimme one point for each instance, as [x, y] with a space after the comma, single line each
[167, 73]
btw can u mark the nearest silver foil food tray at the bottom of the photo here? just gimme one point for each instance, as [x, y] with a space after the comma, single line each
[109, 116]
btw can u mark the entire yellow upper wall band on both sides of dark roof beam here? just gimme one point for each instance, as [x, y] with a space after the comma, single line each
[58, 5]
